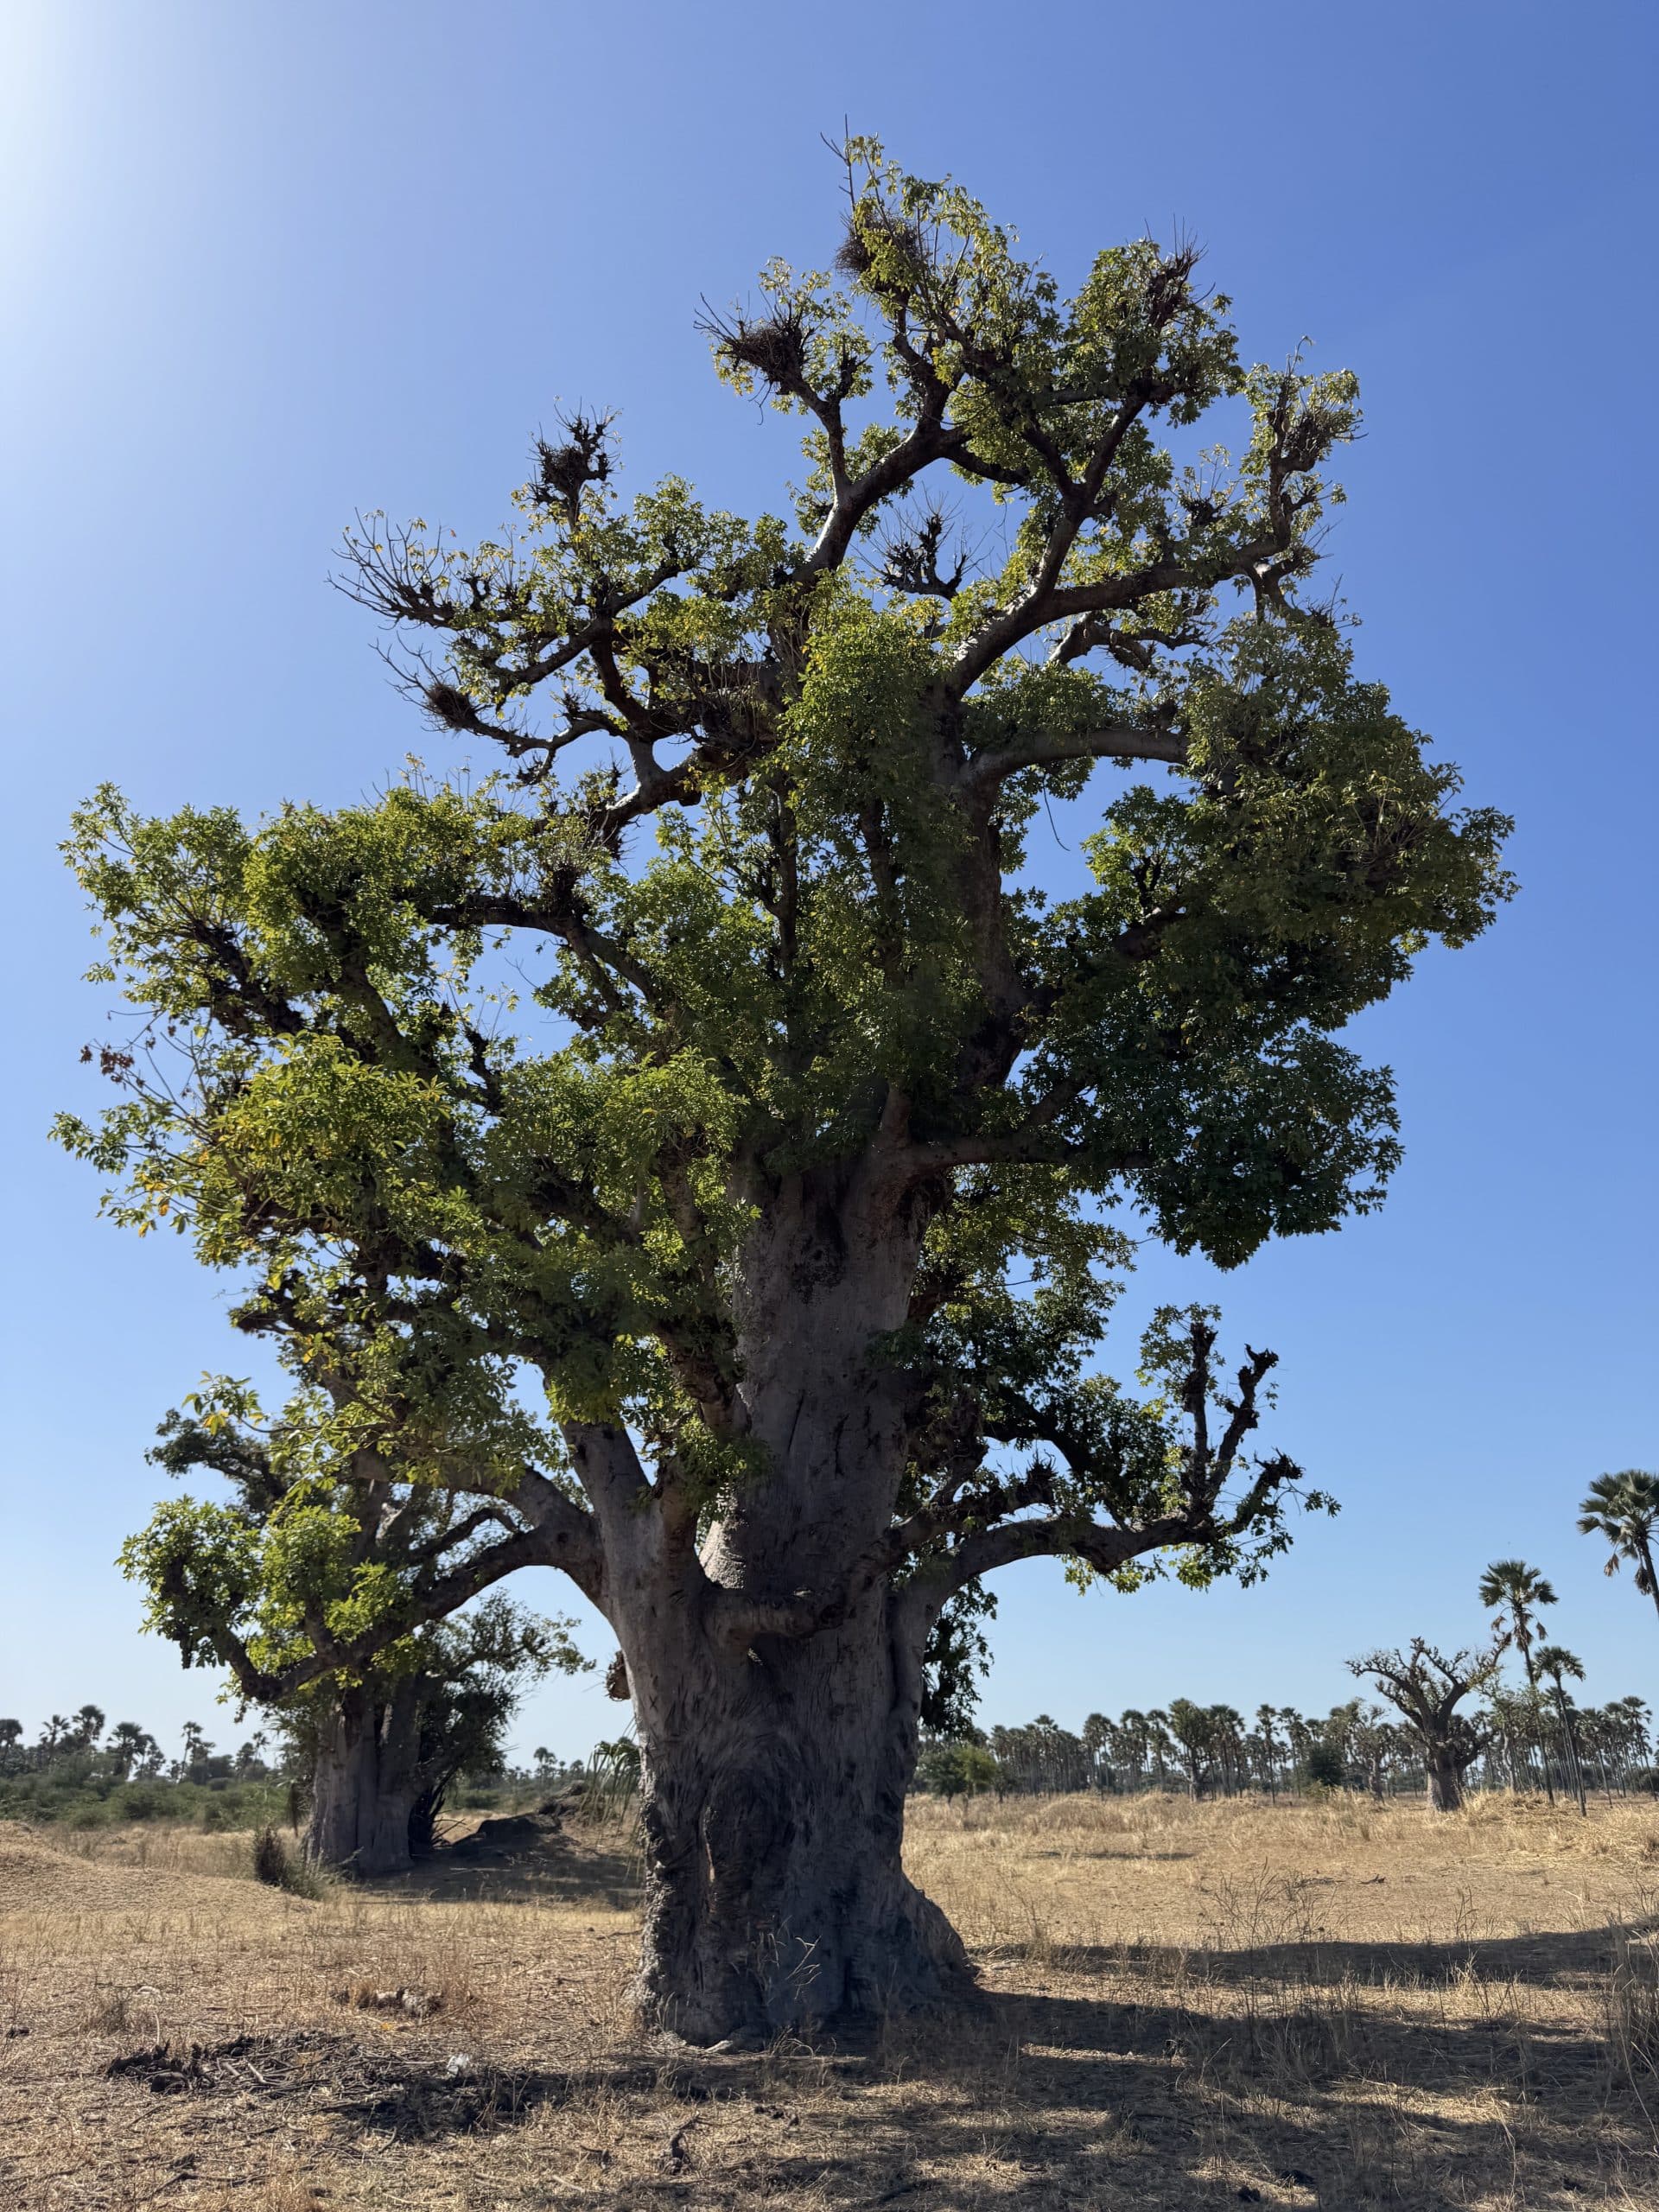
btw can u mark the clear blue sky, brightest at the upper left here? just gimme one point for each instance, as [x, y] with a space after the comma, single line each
[273, 262]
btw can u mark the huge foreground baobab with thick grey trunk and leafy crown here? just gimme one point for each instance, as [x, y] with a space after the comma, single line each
[831, 1076]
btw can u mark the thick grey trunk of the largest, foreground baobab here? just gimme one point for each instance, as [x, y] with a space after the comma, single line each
[775, 1768]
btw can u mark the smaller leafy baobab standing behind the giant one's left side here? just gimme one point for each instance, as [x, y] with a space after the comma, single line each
[331, 1583]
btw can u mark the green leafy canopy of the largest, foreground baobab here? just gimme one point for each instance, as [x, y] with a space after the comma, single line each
[762, 857]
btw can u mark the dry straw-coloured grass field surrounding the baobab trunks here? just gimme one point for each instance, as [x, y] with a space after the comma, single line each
[1304, 2005]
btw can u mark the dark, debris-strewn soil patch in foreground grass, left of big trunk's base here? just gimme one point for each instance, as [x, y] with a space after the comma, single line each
[408, 2098]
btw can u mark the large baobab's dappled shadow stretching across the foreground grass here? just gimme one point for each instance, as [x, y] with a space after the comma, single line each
[1322, 2087]
